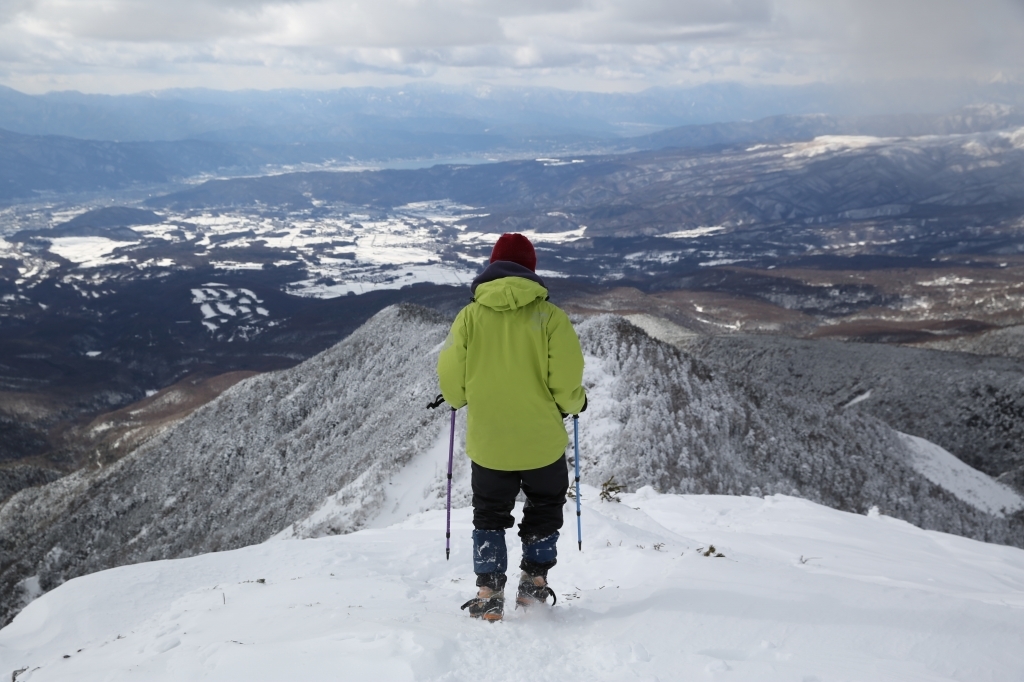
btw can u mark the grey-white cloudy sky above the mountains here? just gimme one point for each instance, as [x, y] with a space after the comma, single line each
[608, 46]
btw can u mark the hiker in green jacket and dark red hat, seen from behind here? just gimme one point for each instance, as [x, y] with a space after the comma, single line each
[516, 361]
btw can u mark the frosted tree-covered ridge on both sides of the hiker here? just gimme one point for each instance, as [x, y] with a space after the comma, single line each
[320, 449]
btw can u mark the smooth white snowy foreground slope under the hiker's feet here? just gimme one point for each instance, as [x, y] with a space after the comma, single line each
[802, 593]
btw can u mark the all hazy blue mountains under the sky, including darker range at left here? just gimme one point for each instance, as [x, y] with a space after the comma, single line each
[72, 143]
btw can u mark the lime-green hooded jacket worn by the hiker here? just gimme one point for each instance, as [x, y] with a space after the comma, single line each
[516, 360]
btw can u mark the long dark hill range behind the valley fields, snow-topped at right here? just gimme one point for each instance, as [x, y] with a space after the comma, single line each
[795, 191]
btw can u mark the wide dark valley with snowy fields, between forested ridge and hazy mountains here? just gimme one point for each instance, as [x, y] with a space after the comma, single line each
[899, 240]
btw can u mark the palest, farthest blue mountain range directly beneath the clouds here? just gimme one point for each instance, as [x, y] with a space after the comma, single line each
[278, 117]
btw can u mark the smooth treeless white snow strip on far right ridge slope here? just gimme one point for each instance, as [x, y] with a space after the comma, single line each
[971, 486]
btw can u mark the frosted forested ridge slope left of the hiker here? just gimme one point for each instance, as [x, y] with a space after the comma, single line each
[244, 467]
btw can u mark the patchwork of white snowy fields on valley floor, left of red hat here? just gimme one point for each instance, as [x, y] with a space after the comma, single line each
[340, 252]
